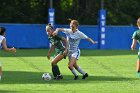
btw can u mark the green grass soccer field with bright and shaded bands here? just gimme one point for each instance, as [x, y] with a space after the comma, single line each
[110, 71]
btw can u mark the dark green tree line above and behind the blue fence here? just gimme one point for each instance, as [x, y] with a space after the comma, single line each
[119, 12]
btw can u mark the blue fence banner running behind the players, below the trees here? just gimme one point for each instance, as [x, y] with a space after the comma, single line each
[34, 36]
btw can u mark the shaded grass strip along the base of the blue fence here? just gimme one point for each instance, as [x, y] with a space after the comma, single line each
[43, 52]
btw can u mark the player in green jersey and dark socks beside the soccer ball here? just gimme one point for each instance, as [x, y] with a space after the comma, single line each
[57, 43]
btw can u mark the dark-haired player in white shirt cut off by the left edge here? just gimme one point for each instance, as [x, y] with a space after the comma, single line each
[4, 46]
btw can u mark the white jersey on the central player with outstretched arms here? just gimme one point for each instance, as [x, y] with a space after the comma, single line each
[74, 39]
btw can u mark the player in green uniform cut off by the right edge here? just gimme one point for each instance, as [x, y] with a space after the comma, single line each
[136, 38]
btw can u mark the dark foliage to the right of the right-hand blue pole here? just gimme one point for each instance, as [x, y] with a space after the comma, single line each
[122, 12]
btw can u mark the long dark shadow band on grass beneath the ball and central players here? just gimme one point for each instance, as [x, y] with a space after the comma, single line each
[22, 77]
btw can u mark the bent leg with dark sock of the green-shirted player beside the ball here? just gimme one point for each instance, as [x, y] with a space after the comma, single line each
[55, 68]
